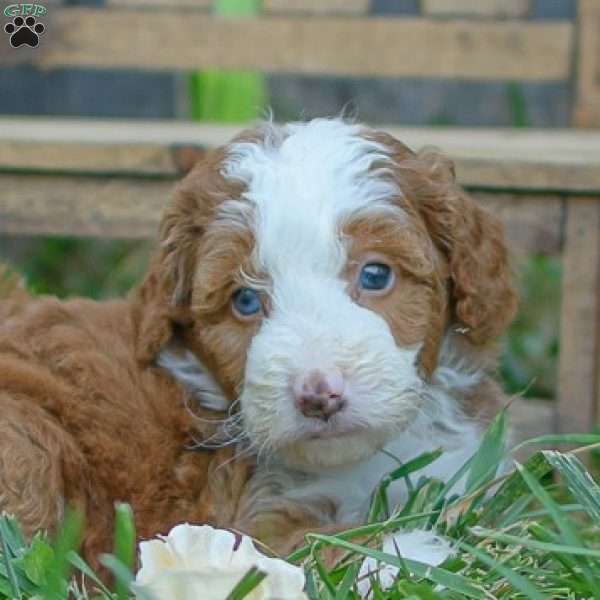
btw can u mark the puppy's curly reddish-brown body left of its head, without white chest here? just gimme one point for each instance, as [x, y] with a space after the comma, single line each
[82, 424]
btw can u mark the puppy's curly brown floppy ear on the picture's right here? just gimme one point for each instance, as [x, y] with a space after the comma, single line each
[483, 297]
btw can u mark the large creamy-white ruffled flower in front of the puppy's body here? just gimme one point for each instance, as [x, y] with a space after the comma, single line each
[203, 563]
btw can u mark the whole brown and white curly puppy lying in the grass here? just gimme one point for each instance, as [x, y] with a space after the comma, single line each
[320, 293]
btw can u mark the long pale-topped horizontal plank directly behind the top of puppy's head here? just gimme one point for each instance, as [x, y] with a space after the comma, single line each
[497, 159]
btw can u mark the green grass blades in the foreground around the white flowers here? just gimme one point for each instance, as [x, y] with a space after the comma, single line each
[532, 531]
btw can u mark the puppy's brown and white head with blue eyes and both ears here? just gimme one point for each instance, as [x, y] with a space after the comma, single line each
[314, 269]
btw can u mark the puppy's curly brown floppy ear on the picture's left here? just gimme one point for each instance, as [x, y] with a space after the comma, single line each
[162, 302]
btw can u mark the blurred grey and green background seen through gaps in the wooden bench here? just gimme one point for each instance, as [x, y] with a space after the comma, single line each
[104, 268]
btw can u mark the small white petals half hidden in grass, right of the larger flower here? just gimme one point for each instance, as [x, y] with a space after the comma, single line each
[418, 545]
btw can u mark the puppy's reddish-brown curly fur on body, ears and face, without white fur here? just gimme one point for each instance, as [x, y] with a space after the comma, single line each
[87, 419]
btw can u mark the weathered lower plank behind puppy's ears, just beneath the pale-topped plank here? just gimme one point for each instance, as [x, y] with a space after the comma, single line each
[130, 207]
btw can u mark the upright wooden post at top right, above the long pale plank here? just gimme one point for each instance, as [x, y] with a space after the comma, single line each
[587, 108]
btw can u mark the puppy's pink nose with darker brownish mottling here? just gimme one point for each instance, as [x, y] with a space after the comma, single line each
[319, 394]
